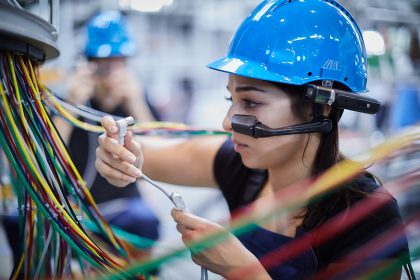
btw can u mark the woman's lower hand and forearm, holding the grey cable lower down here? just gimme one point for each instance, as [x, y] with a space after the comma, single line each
[226, 256]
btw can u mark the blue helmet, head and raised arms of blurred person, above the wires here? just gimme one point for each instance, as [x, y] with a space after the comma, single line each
[107, 77]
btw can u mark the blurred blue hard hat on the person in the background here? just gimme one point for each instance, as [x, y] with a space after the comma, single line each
[107, 36]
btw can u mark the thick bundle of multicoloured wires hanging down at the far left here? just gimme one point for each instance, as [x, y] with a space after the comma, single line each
[52, 196]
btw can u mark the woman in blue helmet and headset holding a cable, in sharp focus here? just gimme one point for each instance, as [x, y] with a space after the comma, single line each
[293, 67]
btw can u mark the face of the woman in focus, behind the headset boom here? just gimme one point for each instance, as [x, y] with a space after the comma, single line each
[272, 107]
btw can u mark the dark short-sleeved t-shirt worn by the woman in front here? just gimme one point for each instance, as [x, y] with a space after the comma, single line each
[241, 185]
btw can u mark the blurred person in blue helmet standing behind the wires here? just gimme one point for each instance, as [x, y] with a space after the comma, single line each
[106, 83]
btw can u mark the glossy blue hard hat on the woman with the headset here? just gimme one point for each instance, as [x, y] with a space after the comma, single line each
[298, 42]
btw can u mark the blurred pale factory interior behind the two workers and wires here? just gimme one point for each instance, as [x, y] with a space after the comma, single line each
[177, 38]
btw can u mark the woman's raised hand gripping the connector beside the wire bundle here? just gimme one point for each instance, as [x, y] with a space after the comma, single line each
[118, 164]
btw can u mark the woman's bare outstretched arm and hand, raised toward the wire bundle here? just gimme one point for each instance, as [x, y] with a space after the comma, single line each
[189, 162]
